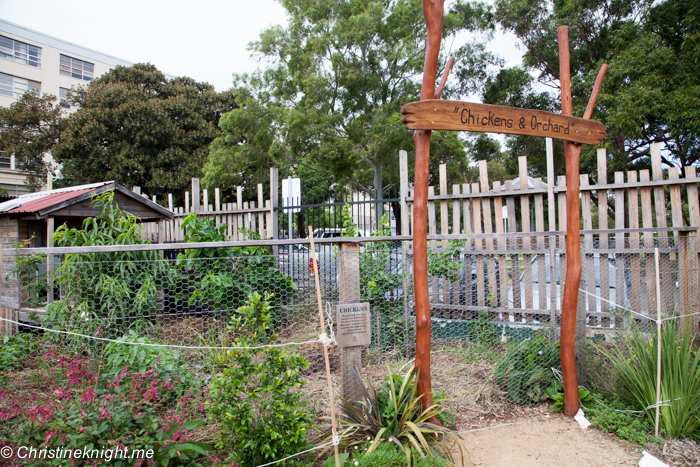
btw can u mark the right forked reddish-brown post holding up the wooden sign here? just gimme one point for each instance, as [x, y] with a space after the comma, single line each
[572, 152]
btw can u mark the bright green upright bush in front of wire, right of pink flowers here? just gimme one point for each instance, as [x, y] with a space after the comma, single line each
[257, 399]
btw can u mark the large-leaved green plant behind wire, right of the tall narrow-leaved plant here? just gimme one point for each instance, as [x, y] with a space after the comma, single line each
[222, 278]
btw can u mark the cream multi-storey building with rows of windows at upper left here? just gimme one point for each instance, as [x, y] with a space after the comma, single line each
[32, 60]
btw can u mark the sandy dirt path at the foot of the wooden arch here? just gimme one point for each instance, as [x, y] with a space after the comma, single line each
[551, 440]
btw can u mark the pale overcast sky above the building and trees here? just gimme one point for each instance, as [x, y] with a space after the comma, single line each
[205, 39]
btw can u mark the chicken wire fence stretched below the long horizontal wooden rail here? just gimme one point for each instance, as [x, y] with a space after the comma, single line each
[495, 311]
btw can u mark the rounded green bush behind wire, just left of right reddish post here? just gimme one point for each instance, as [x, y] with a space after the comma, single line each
[525, 371]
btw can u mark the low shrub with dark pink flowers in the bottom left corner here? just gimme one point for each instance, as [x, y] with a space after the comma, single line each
[82, 411]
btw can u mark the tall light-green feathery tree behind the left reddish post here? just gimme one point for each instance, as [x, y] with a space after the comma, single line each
[331, 94]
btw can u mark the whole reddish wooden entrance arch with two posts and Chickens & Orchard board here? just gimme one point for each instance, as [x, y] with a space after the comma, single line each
[432, 114]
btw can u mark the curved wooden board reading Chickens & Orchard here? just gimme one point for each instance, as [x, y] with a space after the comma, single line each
[485, 118]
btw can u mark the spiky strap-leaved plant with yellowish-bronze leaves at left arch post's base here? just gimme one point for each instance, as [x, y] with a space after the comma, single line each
[394, 415]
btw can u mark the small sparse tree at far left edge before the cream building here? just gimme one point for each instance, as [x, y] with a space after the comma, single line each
[31, 126]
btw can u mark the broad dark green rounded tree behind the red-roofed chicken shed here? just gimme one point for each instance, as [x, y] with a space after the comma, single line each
[138, 128]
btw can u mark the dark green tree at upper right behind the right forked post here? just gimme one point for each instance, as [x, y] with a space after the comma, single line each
[650, 92]
